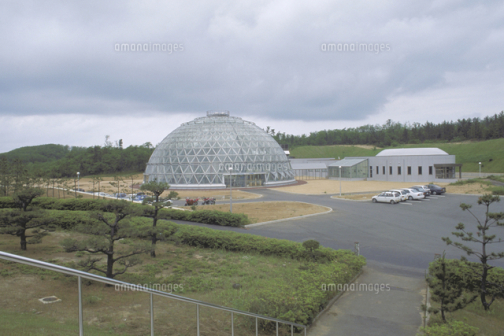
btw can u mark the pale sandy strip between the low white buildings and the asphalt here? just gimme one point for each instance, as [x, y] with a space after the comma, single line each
[333, 187]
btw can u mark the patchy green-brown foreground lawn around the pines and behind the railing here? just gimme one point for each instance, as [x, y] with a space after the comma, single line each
[264, 284]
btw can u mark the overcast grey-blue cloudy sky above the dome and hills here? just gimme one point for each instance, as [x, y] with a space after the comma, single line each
[66, 76]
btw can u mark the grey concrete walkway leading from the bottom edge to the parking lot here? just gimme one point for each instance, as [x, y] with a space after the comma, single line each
[393, 309]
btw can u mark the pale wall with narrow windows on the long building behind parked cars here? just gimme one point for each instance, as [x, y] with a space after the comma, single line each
[413, 161]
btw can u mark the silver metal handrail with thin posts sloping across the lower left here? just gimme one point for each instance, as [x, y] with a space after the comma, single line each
[81, 274]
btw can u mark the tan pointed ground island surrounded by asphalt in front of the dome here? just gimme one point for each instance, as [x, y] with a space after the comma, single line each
[259, 212]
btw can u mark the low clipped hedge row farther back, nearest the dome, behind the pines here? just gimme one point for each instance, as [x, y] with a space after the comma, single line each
[74, 204]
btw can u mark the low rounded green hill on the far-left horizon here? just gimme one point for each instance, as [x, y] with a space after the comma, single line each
[37, 154]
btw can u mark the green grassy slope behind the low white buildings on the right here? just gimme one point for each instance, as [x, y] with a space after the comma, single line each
[490, 153]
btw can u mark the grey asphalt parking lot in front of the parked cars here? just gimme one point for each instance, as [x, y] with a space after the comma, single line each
[406, 235]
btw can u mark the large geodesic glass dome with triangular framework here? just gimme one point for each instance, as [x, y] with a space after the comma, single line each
[210, 151]
